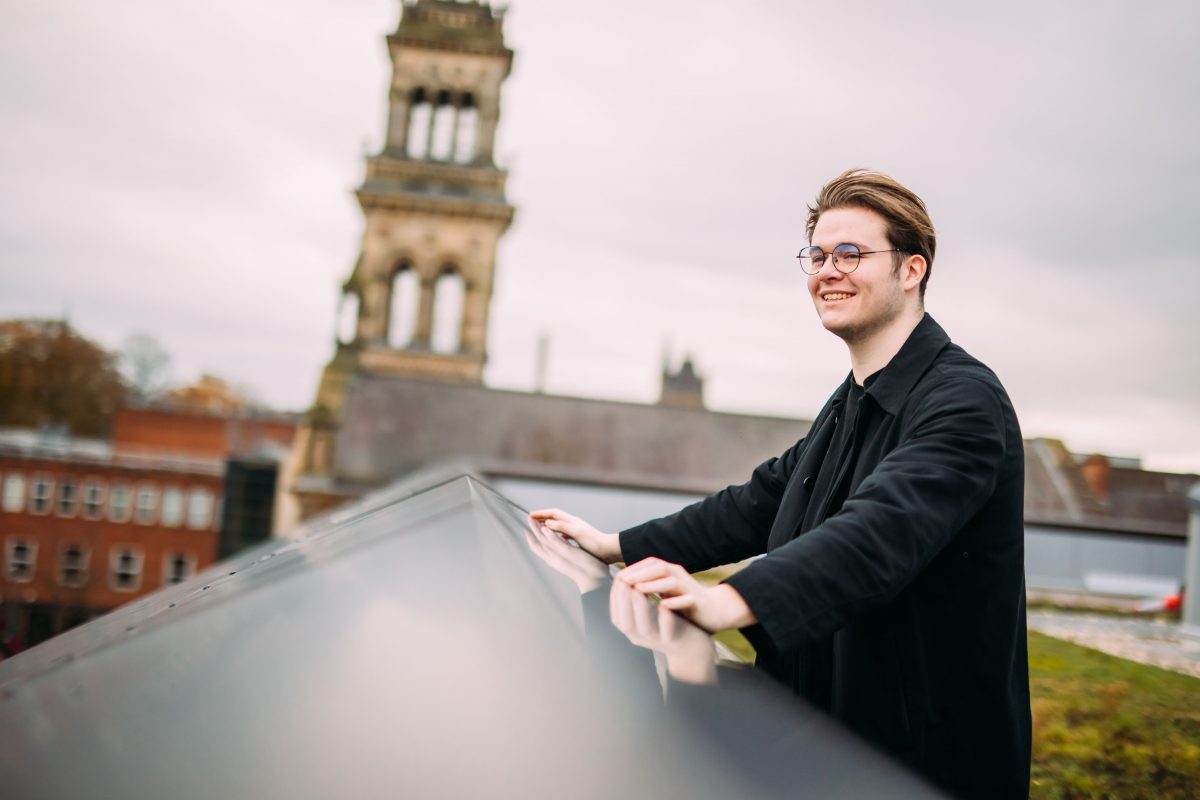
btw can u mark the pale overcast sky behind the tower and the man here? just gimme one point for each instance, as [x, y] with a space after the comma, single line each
[187, 171]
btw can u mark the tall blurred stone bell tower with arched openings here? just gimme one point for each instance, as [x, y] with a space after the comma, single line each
[434, 201]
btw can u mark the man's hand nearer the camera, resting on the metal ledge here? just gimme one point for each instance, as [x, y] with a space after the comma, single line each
[713, 609]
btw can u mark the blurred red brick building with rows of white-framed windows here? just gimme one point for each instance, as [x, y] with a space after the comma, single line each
[87, 525]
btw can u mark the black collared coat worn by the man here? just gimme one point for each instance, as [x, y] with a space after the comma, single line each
[903, 613]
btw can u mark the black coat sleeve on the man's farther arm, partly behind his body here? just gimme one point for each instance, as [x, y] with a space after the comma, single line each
[723, 528]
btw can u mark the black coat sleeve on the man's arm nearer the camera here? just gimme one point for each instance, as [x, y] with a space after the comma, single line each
[922, 494]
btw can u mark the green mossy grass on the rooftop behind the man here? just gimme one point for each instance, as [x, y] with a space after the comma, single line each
[1103, 727]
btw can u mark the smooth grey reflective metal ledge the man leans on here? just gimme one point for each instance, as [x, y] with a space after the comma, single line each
[425, 642]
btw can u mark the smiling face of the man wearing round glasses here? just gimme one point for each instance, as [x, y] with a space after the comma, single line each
[857, 305]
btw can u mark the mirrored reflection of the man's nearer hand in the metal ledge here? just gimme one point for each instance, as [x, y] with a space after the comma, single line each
[691, 654]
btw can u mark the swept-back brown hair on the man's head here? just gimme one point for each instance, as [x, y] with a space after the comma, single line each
[908, 225]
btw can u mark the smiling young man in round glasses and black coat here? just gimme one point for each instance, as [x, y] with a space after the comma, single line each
[892, 593]
